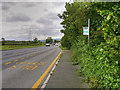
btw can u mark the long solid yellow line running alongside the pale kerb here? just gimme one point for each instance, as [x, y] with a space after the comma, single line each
[37, 83]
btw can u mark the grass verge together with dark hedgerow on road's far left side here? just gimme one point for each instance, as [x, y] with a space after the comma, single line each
[11, 45]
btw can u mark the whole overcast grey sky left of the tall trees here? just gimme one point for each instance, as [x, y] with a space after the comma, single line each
[19, 19]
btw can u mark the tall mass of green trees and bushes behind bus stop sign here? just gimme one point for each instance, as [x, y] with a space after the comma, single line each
[98, 61]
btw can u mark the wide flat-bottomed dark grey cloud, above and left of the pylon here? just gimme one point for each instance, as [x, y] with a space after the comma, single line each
[18, 18]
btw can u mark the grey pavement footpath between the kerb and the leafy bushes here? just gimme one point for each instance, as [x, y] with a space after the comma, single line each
[65, 75]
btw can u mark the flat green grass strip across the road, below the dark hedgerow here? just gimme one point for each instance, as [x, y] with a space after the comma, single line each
[13, 47]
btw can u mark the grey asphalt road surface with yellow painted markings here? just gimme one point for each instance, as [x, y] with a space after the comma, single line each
[21, 68]
